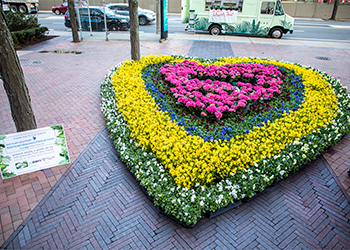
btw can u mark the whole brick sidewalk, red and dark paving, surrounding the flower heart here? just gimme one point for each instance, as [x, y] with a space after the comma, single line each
[97, 203]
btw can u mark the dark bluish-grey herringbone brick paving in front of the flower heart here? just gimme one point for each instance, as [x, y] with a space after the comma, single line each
[98, 204]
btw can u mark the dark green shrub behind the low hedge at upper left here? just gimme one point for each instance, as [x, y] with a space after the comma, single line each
[20, 21]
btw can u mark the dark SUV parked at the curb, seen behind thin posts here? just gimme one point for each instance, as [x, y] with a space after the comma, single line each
[114, 22]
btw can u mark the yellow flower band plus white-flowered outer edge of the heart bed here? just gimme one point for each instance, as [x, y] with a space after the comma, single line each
[193, 163]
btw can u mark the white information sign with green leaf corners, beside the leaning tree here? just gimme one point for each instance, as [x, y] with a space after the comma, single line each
[32, 150]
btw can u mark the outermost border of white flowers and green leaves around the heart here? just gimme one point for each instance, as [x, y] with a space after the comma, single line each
[190, 204]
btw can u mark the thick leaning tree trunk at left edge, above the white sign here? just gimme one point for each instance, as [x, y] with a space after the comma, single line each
[13, 80]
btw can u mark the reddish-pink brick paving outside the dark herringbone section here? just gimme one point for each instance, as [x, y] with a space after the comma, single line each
[64, 89]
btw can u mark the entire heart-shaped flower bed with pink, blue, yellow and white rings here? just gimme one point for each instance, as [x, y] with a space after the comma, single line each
[192, 158]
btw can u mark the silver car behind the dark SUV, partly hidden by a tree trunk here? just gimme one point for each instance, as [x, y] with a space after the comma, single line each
[145, 16]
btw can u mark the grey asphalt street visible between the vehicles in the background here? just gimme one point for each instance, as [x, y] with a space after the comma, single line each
[304, 29]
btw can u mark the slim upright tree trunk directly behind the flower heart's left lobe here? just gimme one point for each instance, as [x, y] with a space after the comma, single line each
[134, 30]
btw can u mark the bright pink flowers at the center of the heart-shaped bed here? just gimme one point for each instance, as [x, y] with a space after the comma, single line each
[218, 89]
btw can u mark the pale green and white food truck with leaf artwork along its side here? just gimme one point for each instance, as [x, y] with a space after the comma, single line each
[252, 17]
